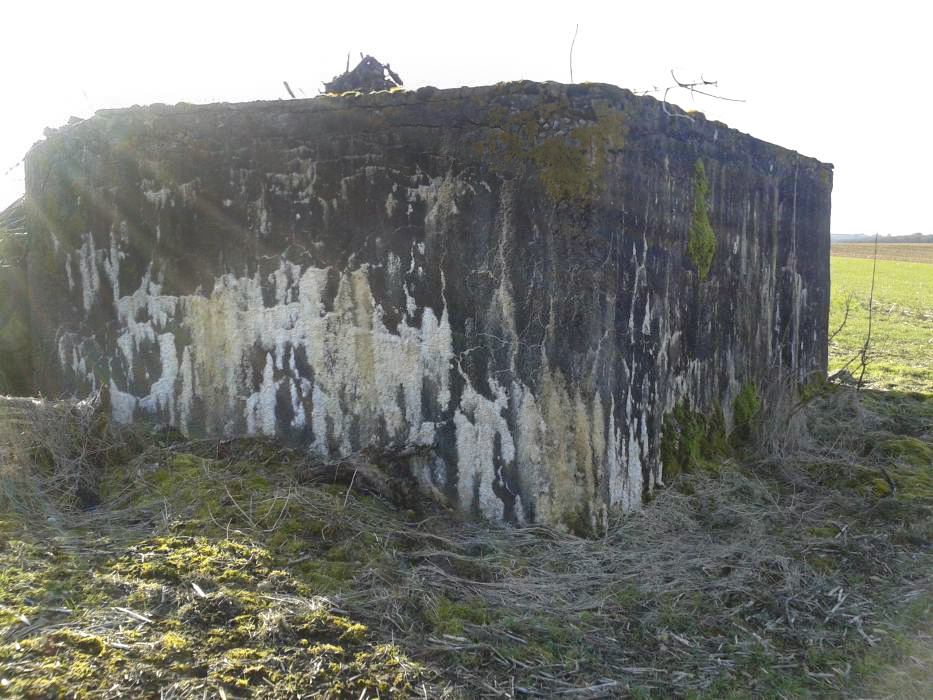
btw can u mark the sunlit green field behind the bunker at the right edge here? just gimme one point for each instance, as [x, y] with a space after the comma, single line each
[900, 354]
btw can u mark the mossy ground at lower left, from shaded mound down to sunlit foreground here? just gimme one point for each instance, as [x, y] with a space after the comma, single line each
[213, 598]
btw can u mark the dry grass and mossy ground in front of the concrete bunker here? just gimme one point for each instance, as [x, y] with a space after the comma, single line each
[769, 578]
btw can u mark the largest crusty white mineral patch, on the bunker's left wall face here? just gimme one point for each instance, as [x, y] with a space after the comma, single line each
[357, 365]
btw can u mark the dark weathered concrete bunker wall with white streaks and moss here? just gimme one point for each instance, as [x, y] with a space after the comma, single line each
[515, 274]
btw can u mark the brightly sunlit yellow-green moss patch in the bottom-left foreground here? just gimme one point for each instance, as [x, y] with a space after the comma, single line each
[175, 609]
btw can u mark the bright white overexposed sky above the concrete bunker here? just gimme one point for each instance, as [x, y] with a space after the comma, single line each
[843, 82]
